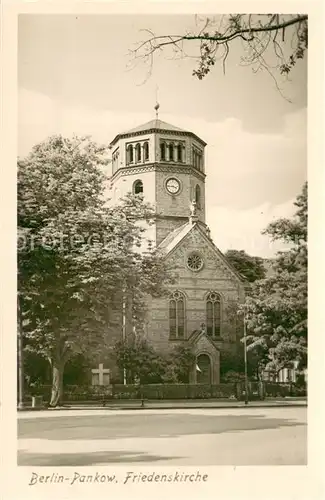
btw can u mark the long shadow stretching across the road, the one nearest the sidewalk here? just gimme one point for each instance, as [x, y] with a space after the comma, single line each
[146, 426]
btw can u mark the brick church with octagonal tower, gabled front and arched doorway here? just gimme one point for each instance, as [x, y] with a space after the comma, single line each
[167, 166]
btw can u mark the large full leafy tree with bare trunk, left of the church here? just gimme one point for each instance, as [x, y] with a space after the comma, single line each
[76, 255]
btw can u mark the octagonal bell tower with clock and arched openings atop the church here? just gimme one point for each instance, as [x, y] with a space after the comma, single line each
[166, 165]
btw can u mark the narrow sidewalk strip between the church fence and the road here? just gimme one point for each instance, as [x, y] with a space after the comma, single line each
[175, 404]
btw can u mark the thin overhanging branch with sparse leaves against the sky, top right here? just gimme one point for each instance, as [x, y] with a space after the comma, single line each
[263, 37]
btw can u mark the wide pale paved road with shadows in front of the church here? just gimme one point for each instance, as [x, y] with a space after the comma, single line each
[256, 436]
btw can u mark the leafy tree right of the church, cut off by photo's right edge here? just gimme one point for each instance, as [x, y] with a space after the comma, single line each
[276, 311]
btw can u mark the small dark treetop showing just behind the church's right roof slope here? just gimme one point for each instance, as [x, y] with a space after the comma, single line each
[251, 268]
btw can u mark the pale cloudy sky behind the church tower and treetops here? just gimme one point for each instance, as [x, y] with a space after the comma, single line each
[77, 76]
